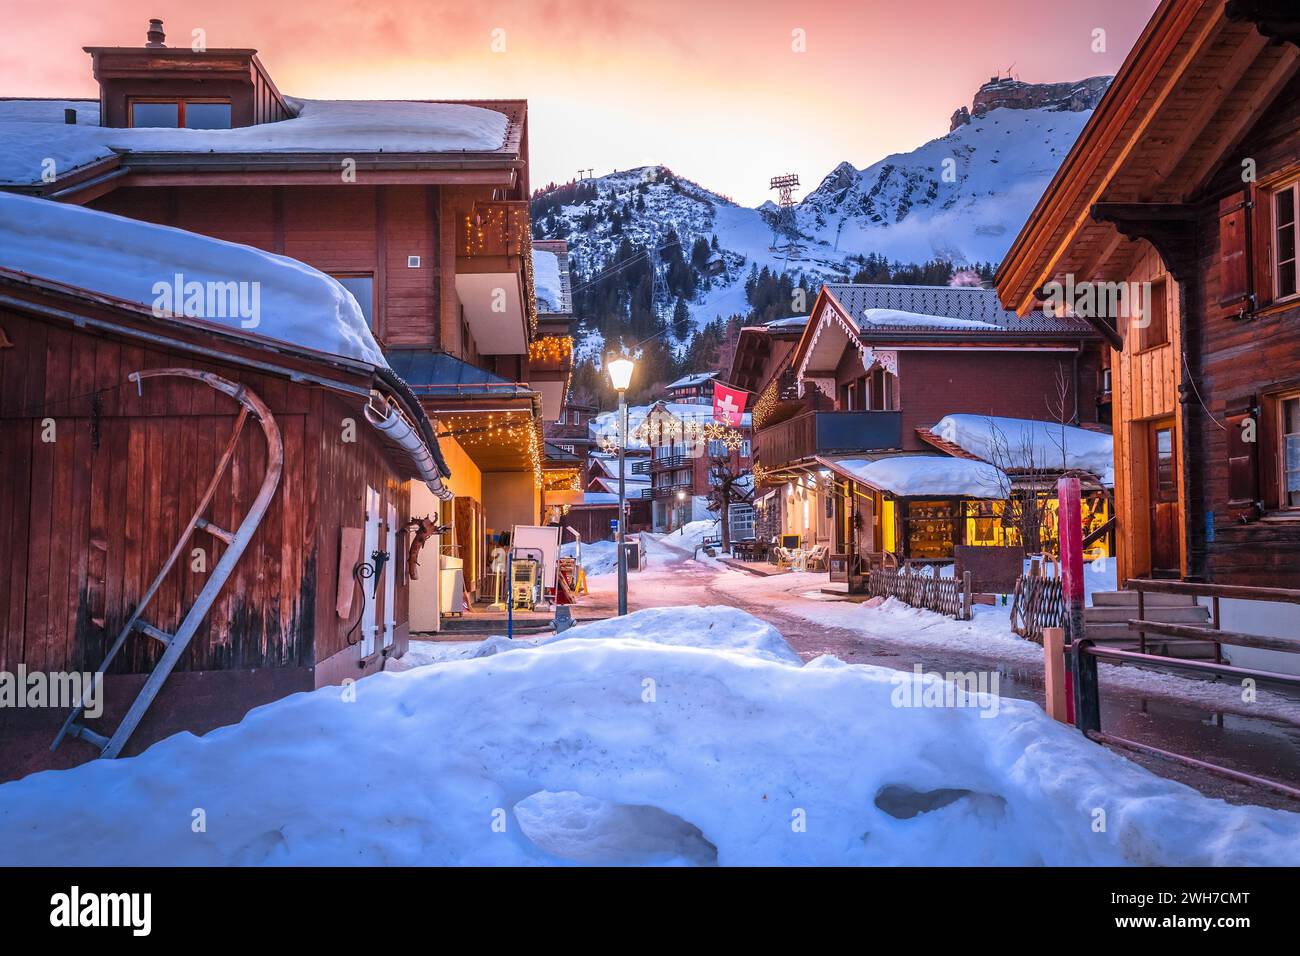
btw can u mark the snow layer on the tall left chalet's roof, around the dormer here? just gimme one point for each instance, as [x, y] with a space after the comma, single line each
[34, 132]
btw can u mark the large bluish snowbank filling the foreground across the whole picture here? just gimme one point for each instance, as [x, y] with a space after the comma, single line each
[618, 750]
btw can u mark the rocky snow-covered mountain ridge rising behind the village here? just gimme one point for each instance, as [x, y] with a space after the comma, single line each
[963, 198]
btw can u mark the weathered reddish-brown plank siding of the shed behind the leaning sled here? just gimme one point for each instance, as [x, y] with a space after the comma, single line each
[88, 521]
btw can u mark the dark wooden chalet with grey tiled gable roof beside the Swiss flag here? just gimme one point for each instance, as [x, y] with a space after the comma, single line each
[872, 367]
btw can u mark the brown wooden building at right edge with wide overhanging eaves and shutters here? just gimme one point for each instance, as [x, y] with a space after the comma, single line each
[1184, 188]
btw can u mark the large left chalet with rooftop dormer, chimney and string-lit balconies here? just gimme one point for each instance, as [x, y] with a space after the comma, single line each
[432, 236]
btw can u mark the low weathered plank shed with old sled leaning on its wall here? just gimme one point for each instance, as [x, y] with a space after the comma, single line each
[135, 445]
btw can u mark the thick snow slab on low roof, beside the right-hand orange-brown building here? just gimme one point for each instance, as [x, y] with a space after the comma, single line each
[1030, 444]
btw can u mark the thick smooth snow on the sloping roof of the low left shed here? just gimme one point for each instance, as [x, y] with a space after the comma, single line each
[138, 262]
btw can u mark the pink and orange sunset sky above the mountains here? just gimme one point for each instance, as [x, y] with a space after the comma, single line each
[714, 90]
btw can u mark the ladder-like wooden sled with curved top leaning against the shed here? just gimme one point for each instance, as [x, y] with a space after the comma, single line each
[236, 542]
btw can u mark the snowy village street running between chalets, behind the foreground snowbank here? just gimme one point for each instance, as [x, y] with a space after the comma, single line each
[1195, 717]
